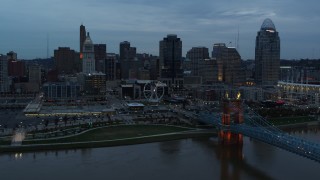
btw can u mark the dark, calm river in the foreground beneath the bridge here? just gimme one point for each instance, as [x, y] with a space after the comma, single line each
[183, 159]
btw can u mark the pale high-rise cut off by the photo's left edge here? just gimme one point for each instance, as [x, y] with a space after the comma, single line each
[4, 81]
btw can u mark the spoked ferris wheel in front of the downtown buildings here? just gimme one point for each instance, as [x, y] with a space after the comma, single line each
[154, 91]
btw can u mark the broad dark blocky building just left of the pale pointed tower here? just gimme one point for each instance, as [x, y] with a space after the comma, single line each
[66, 60]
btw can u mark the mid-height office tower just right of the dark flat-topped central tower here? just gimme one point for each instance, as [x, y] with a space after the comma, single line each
[195, 55]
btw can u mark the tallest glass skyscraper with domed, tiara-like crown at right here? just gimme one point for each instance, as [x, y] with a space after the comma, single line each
[267, 54]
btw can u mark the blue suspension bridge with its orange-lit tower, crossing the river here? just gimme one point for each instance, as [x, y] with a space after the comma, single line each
[238, 119]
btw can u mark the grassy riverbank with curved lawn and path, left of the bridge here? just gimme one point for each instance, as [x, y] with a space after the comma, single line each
[166, 133]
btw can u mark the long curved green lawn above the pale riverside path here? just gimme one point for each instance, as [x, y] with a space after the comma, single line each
[114, 132]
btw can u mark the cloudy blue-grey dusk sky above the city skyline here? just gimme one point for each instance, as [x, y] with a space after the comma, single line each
[26, 25]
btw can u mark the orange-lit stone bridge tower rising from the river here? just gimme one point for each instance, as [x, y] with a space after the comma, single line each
[232, 114]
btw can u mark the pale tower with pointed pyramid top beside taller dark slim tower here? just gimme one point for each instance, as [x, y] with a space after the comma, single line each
[88, 61]
